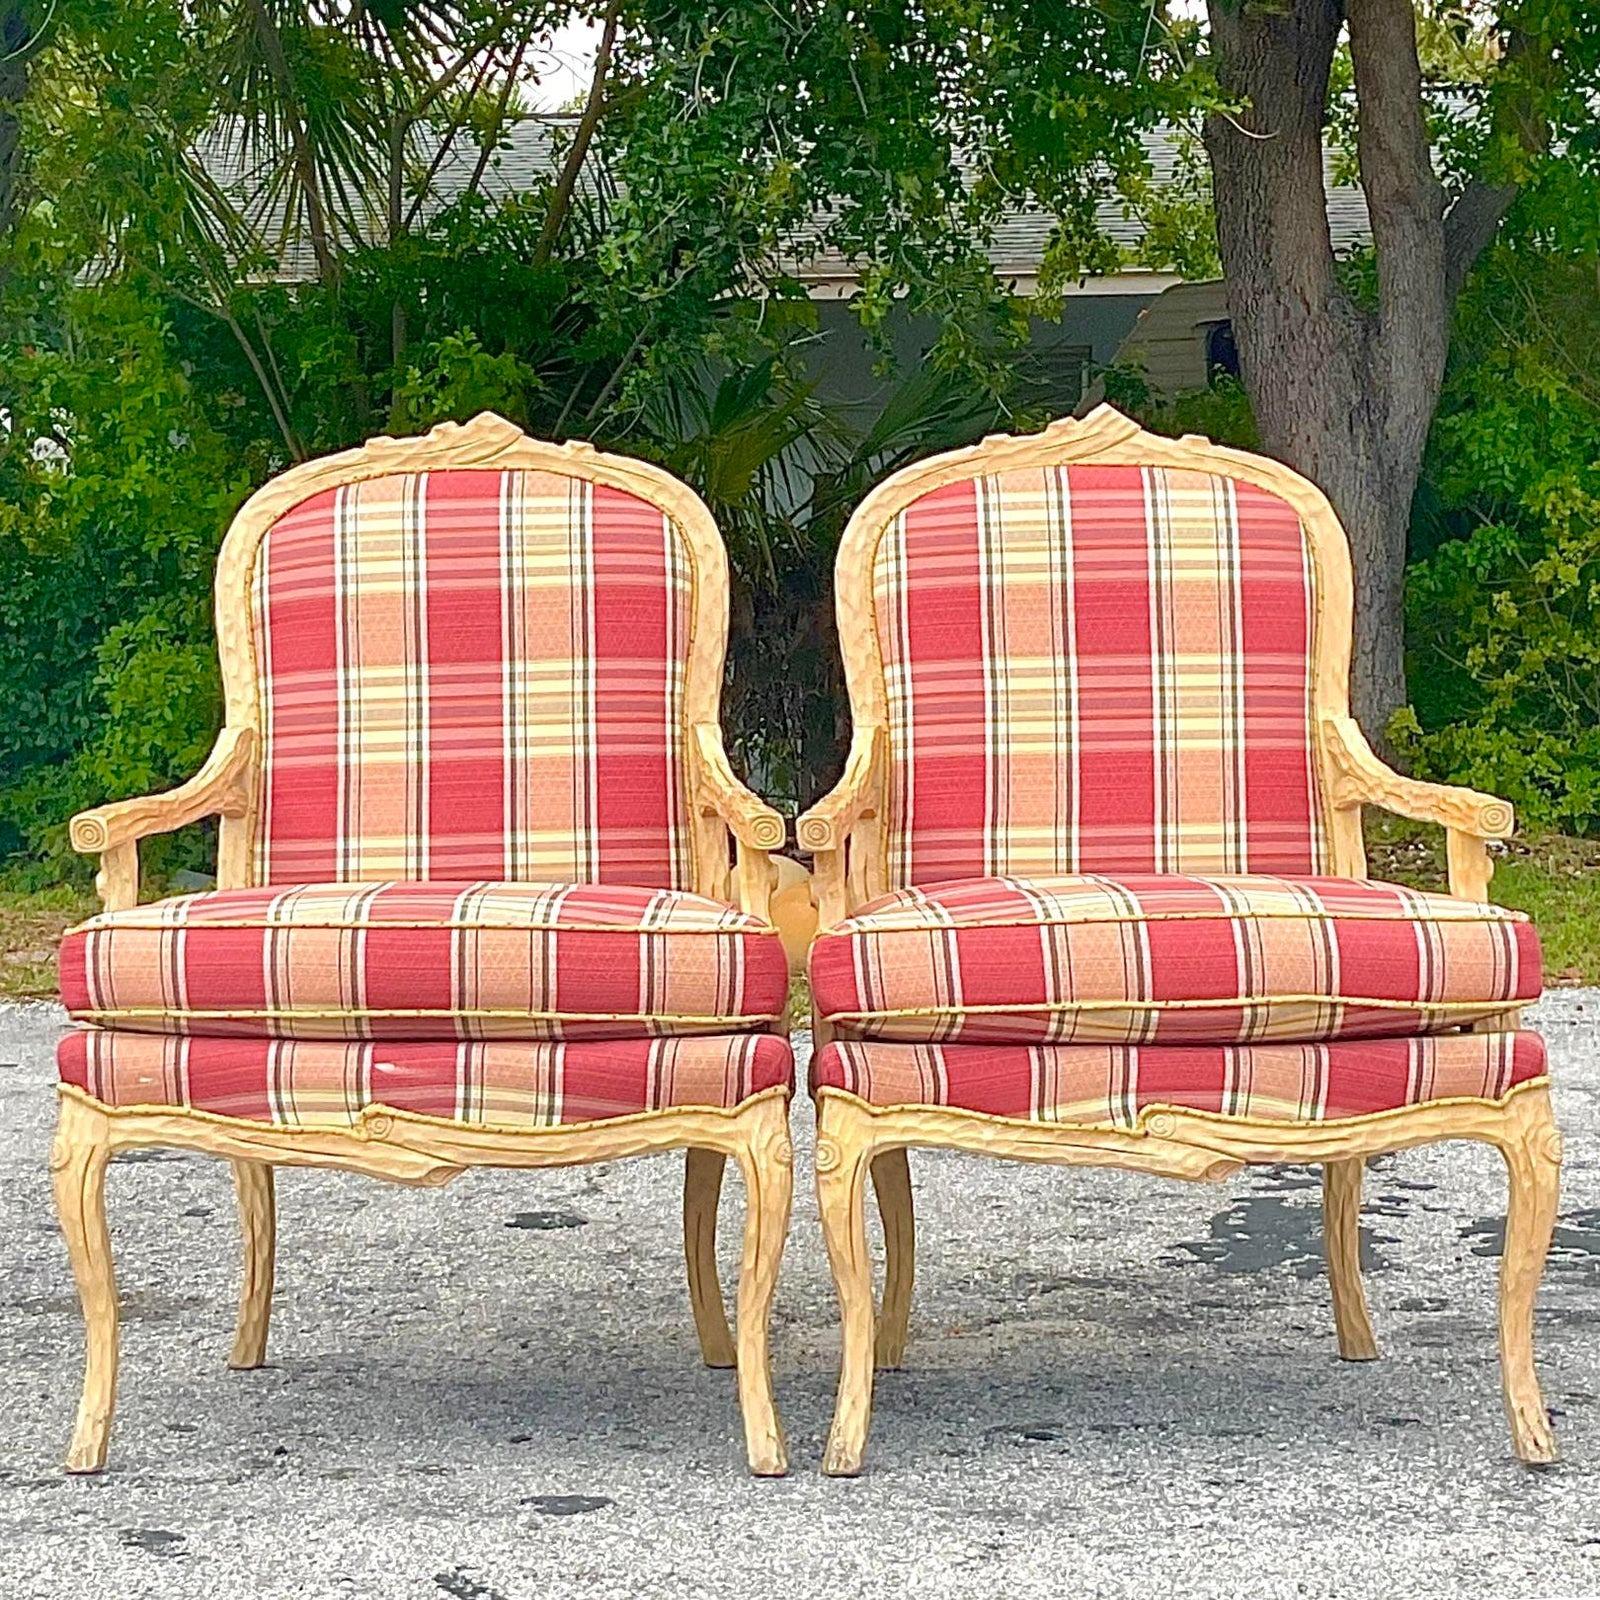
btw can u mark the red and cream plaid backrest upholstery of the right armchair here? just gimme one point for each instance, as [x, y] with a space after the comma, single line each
[1098, 670]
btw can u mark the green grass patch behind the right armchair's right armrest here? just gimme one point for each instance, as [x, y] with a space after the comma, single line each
[1554, 879]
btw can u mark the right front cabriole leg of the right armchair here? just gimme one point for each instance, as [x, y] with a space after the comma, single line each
[1532, 1148]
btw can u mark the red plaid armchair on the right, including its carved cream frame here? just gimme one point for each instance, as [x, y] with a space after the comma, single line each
[1092, 889]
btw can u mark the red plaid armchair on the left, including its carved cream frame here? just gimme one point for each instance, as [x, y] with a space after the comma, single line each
[476, 900]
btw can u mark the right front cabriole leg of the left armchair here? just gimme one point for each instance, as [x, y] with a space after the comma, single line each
[767, 1164]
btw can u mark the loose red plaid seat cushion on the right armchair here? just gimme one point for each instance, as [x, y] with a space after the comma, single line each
[1169, 959]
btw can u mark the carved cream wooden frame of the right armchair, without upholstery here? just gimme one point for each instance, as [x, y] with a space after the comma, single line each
[844, 833]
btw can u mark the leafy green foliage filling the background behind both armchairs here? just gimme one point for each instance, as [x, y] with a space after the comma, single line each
[158, 362]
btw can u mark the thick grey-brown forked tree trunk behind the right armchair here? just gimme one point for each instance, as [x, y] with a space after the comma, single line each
[1343, 394]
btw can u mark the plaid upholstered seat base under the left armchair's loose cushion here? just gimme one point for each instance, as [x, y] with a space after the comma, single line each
[302, 1084]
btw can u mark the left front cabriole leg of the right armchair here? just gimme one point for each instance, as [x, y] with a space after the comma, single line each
[844, 1154]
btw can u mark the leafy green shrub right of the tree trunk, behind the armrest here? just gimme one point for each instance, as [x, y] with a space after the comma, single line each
[1505, 604]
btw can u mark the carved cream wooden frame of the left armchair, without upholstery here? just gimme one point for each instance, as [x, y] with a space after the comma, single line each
[390, 1143]
